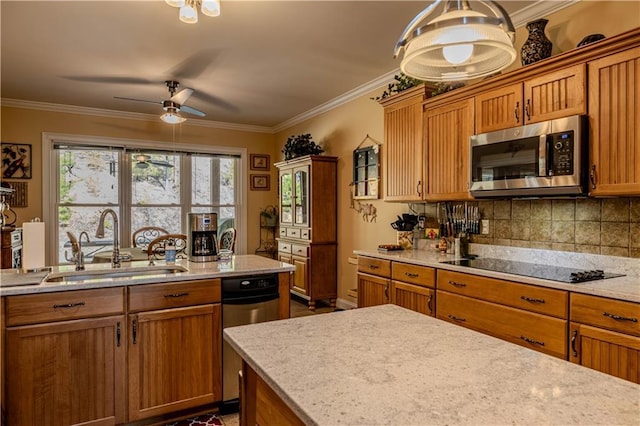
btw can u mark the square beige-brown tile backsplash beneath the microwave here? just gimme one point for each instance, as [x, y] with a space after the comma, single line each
[600, 226]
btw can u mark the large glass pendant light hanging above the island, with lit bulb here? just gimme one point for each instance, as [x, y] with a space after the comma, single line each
[460, 44]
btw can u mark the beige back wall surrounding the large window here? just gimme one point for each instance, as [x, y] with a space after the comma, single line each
[26, 126]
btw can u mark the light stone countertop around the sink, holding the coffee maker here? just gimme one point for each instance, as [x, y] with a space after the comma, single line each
[13, 281]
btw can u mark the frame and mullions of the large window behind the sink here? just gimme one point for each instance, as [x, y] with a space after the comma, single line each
[50, 184]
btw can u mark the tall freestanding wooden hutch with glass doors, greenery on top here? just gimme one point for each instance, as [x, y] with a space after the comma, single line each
[308, 225]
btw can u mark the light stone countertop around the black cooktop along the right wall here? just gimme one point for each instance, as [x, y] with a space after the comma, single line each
[624, 288]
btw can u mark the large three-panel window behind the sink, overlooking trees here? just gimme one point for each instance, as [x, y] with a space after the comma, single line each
[145, 187]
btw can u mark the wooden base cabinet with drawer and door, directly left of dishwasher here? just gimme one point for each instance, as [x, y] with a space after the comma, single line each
[174, 347]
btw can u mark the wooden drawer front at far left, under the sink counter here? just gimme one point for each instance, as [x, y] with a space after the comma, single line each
[64, 305]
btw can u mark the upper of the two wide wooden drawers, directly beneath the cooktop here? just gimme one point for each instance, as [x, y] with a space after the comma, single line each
[523, 296]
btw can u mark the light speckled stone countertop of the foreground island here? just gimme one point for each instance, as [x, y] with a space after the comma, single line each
[389, 365]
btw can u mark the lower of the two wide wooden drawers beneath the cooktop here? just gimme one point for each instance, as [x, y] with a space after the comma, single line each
[539, 332]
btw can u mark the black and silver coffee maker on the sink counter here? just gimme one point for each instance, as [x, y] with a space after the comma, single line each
[202, 237]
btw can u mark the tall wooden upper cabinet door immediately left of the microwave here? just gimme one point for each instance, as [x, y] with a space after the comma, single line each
[448, 130]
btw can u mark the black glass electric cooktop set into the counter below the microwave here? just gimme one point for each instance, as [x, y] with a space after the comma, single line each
[545, 272]
